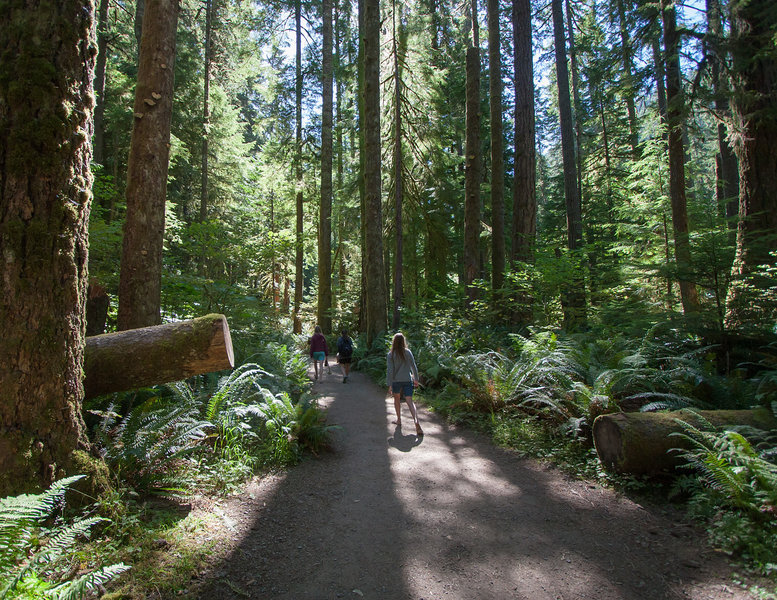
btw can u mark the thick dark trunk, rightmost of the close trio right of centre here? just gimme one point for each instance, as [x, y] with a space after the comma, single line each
[524, 178]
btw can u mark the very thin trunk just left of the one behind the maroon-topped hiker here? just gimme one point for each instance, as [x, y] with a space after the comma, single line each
[299, 281]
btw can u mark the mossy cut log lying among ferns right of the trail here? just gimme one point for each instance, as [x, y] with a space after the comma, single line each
[639, 443]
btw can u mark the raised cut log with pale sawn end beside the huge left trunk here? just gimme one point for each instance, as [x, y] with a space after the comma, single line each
[127, 360]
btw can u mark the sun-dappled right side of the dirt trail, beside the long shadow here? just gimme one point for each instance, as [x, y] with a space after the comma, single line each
[497, 526]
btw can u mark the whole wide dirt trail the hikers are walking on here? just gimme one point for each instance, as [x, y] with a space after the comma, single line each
[387, 515]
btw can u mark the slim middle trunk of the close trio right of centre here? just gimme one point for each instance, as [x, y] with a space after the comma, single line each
[497, 149]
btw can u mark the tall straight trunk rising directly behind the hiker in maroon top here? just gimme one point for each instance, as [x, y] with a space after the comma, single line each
[325, 214]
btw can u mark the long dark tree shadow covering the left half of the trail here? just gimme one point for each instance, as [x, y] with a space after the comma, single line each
[329, 528]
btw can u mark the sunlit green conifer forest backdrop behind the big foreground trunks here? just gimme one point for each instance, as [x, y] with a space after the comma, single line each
[616, 244]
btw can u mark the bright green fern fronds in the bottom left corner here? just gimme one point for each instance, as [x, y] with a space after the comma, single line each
[31, 548]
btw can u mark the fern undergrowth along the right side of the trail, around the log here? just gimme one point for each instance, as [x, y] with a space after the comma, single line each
[539, 394]
